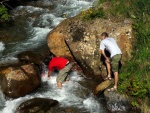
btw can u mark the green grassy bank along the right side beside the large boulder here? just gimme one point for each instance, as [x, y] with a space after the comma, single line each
[134, 78]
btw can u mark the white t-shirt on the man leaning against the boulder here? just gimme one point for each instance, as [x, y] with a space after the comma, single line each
[110, 45]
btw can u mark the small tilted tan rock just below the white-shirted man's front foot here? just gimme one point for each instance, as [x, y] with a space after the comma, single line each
[104, 85]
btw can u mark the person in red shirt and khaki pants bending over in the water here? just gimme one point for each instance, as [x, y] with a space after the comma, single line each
[63, 66]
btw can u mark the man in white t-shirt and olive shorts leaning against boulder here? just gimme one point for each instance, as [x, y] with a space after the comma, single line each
[115, 56]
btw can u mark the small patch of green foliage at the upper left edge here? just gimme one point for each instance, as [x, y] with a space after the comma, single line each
[3, 13]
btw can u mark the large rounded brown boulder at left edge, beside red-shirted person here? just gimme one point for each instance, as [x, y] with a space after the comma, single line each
[19, 80]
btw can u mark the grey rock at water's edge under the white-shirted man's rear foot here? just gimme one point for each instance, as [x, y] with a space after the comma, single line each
[117, 102]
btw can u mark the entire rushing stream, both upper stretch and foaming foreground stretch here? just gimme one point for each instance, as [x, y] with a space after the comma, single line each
[30, 26]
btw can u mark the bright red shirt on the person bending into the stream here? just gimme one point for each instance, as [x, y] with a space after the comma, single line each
[57, 63]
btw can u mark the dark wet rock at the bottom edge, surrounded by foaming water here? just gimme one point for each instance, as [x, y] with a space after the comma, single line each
[37, 105]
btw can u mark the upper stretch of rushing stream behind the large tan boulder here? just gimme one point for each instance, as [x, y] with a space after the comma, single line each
[31, 24]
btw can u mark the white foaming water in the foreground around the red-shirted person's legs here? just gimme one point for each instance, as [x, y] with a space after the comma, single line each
[71, 95]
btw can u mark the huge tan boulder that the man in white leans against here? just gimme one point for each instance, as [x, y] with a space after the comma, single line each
[80, 40]
